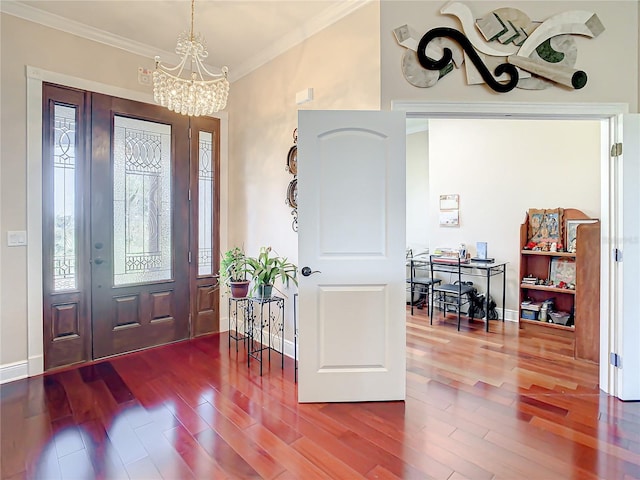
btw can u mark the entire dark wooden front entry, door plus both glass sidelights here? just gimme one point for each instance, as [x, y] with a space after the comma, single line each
[119, 238]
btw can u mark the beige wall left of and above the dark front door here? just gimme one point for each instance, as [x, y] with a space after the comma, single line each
[25, 43]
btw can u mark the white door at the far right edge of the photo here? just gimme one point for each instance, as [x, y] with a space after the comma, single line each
[627, 334]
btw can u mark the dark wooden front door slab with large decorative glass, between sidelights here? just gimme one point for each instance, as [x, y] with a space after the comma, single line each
[139, 226]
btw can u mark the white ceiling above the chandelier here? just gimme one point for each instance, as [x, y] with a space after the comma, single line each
[239, 34]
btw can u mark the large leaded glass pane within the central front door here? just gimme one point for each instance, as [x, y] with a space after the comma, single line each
[141, 201]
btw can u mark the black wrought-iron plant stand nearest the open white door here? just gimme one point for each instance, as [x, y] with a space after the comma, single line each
[265, 313]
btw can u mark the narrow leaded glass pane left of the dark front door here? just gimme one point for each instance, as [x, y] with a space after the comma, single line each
[64, 197]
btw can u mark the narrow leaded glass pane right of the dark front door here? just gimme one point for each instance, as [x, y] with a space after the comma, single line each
[205, 203]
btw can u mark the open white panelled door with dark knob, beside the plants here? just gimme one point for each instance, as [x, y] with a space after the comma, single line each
[351, 229]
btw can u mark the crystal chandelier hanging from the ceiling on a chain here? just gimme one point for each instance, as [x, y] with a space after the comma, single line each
[198, 92]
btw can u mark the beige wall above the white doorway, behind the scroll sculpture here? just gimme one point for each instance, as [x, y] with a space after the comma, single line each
[610, 60]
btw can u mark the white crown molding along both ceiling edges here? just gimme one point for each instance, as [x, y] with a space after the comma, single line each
[295, 37]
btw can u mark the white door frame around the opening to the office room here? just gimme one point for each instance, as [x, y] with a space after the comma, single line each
[609, 115]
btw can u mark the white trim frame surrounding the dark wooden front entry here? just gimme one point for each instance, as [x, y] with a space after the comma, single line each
[35, 78]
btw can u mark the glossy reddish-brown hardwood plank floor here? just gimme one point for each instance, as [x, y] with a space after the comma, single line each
[500, 405]
